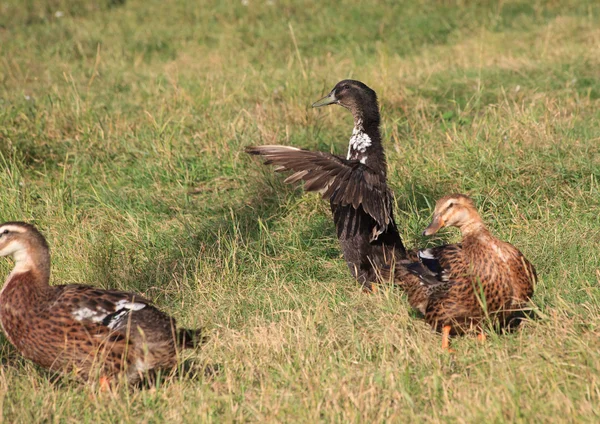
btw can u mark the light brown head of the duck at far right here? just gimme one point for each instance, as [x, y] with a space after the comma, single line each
[455, 210]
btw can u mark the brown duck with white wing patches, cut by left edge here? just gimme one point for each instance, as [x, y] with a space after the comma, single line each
[78, 329]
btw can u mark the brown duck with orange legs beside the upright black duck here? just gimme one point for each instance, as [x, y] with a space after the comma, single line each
[458, 286]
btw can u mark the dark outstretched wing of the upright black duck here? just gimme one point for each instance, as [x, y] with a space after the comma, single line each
[343, 182]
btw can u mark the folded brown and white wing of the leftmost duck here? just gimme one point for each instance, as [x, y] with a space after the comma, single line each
[96, 307]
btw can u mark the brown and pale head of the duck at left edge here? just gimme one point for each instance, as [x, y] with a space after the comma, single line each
[25, 244]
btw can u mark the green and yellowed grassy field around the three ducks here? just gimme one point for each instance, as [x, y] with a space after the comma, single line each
[122, 127]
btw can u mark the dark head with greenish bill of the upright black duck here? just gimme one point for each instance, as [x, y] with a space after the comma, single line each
[355, 96]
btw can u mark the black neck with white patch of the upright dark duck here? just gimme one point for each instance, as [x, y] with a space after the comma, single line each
[365, 142]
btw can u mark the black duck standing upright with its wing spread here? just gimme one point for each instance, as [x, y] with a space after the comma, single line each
[356, 185]
